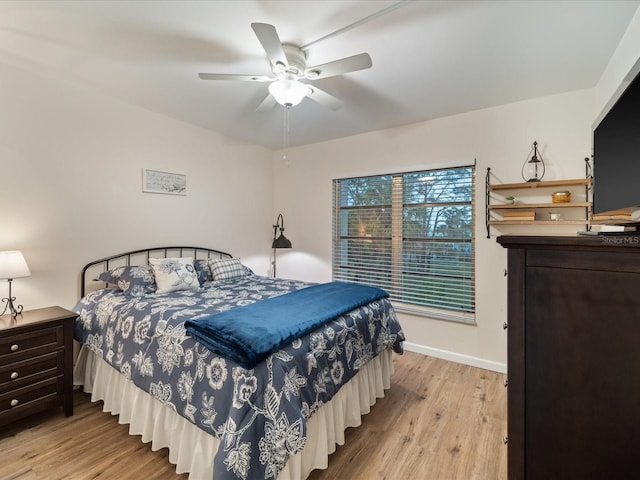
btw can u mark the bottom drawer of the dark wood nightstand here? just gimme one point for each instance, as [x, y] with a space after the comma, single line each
[24, 401]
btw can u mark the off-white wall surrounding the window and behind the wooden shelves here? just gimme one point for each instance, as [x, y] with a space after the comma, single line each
[499, 138]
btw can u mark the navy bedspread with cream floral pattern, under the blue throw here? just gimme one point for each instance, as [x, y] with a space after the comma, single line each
[259, 415]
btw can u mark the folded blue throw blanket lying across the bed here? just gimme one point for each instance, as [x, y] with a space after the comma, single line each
[248, 335]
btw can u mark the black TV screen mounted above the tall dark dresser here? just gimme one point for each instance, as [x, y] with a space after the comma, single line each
[616, 154]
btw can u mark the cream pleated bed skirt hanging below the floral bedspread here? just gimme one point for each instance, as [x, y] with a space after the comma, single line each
[192, 450]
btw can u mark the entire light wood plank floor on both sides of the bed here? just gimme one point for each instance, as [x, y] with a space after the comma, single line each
[439, 421]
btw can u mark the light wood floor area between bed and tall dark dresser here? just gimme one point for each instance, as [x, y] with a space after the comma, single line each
[439, 420]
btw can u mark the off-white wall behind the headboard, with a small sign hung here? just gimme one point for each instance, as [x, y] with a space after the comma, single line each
[71, 166]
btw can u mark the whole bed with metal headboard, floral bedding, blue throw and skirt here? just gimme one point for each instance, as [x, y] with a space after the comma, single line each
[276, 414]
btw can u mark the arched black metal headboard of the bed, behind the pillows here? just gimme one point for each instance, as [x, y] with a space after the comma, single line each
[141, 257]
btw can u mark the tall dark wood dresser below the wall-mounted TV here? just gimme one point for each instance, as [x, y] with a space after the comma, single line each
[573, 357]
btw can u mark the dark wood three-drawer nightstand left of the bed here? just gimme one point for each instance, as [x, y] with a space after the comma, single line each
[36, 363]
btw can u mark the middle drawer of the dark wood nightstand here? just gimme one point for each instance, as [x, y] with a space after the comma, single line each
[32, 370]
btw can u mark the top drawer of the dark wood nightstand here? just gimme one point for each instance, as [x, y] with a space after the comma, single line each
[18, 346]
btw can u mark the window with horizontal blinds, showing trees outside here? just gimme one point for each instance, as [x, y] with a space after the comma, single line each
[412, 235]
